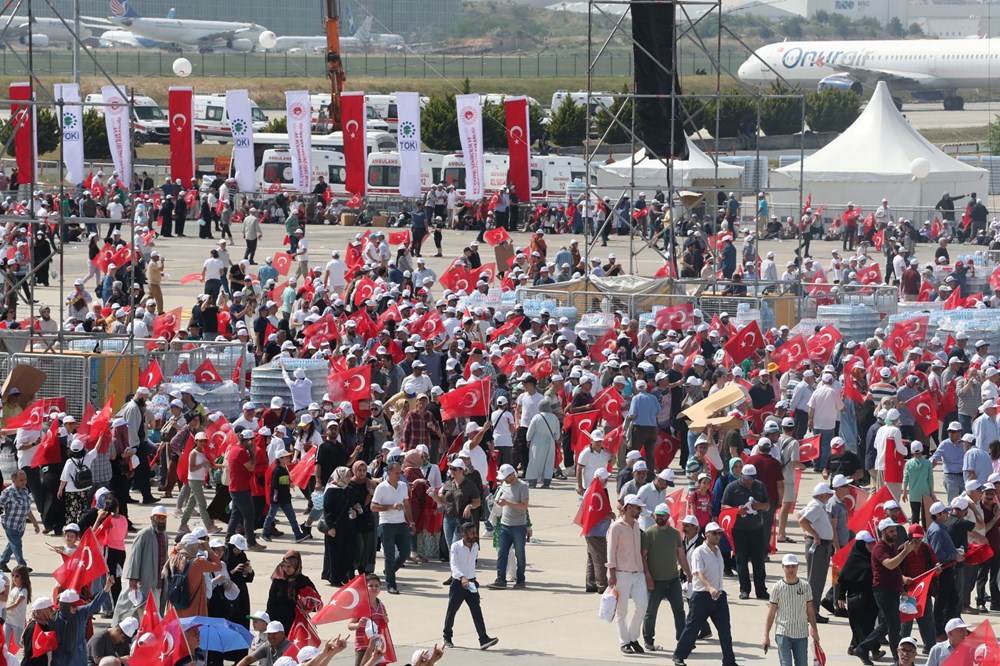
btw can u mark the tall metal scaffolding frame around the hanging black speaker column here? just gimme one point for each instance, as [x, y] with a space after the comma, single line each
[685, 31]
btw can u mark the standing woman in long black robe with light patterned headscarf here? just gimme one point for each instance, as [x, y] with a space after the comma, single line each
[340, 539]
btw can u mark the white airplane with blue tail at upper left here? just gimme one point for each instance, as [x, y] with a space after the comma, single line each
[205, 35]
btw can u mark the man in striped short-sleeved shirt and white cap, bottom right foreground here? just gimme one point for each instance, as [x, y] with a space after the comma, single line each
[791, 612]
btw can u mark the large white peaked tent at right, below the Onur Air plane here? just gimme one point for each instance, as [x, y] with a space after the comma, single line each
[873, 159]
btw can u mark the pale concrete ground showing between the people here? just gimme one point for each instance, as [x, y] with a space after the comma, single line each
[551, 622]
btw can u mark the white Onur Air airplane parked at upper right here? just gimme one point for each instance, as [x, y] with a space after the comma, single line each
[941, 66]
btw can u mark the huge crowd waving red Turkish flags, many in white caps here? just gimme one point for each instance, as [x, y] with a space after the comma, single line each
[398, 469]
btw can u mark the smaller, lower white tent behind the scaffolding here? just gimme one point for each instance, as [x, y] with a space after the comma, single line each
[697, 171]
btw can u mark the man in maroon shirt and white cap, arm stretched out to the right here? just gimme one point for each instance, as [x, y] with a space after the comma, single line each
[887, 584]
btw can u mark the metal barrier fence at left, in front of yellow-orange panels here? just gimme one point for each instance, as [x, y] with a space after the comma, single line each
[95, 367]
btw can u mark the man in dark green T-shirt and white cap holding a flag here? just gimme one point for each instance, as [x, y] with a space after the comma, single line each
[662, 551]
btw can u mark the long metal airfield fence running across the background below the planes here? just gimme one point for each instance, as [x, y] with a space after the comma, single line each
[385, 65]
